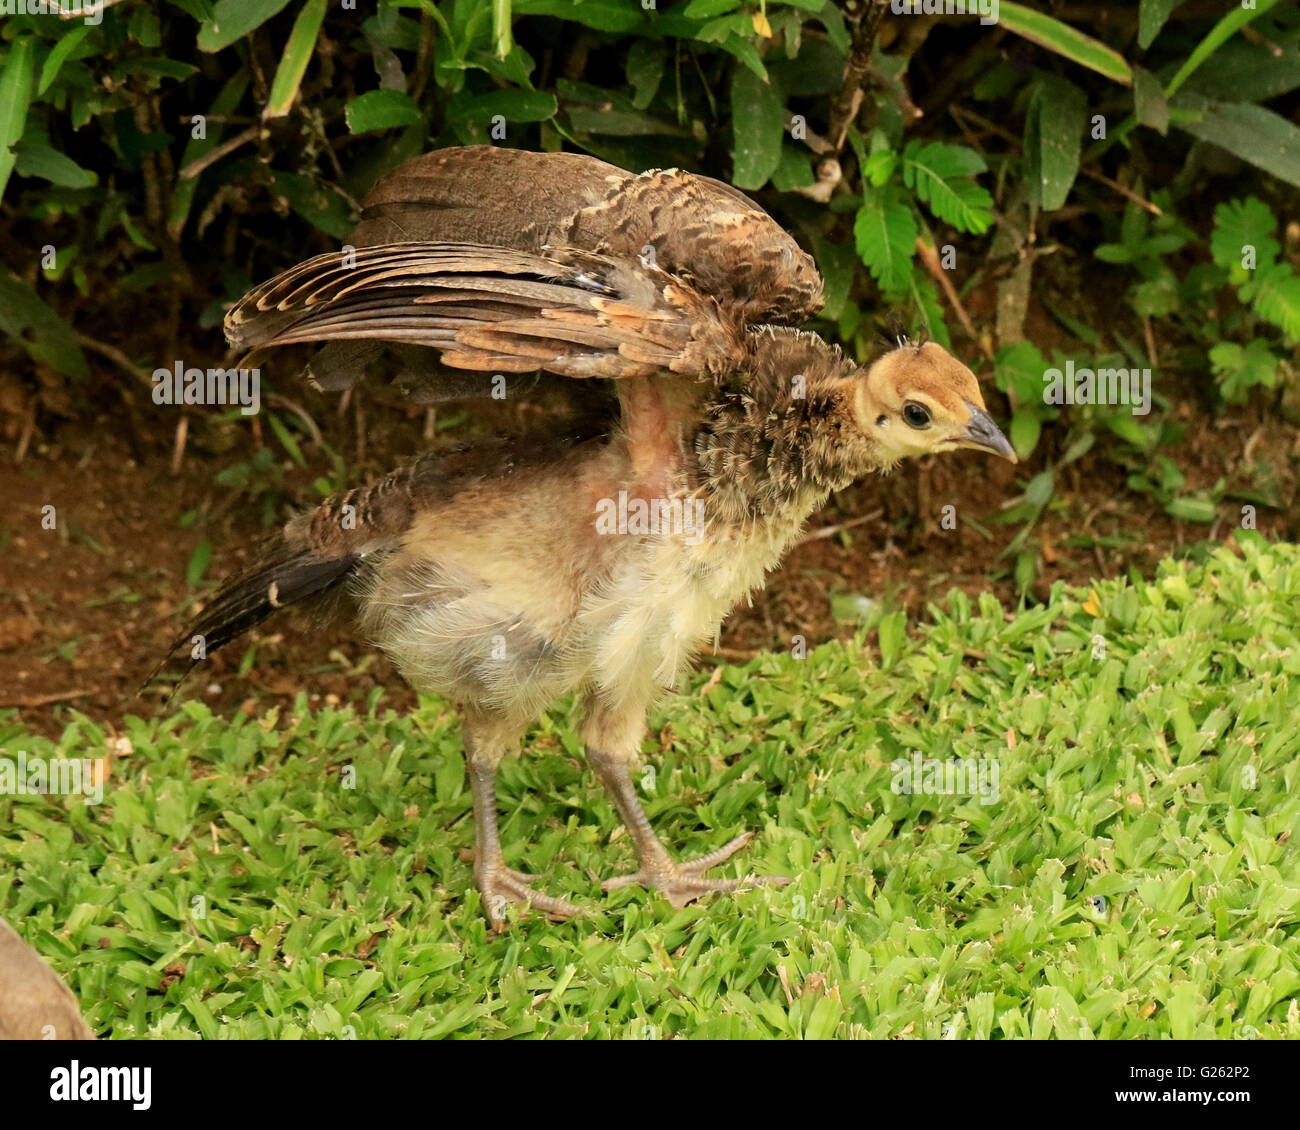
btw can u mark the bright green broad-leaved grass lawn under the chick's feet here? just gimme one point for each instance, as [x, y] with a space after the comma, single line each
[1137, 877]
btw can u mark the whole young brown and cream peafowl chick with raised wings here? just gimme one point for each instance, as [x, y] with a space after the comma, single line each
[601, 555]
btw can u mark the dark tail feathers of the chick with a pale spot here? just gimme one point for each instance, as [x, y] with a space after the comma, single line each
[287, 577]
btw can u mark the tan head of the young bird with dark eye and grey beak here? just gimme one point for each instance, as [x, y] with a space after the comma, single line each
[918, 400]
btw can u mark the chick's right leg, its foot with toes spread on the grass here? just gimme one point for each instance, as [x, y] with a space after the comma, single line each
[612, 747]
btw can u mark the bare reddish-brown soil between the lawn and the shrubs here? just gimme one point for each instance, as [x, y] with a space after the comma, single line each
[88, 609]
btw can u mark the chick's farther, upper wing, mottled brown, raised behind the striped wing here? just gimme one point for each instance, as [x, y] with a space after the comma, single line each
[695, 228]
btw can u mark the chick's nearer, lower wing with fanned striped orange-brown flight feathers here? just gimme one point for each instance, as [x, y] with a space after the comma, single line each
[495, 310]
